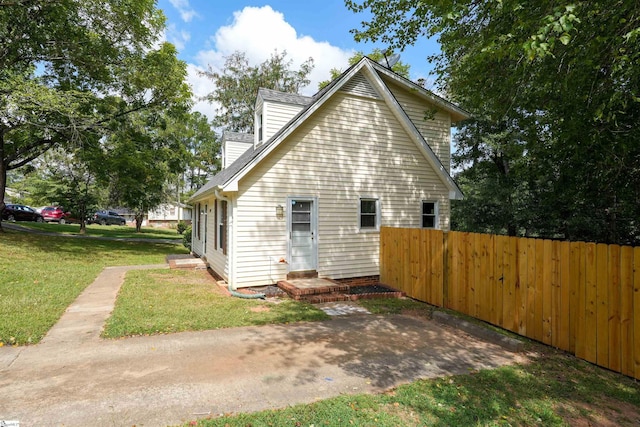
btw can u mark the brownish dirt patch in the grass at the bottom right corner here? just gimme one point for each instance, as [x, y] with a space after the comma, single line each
[605, 413]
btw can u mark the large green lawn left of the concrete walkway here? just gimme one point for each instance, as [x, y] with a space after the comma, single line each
[40, 276]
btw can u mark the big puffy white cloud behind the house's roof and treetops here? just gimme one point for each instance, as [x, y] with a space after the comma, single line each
[258, 32]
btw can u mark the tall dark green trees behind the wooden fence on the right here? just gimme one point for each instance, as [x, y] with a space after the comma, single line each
[562, 77]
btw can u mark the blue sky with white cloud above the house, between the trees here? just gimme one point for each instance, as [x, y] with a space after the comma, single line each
[206, 31]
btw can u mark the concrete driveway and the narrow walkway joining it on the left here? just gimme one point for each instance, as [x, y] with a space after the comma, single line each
[75, 378]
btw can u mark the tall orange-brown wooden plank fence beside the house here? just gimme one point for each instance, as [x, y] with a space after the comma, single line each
[580, 297]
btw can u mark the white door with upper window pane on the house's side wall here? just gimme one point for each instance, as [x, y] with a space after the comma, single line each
[303, 239]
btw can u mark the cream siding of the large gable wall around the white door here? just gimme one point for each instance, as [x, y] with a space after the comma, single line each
[335, 157]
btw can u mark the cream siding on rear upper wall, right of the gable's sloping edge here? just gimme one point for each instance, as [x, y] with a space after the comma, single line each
[435, 130]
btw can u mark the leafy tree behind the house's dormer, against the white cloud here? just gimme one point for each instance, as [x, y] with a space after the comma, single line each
[237, 86]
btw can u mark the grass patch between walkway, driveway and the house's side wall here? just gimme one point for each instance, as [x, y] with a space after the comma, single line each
[164, 301]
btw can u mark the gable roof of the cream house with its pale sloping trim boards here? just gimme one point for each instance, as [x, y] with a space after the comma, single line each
[227, 180]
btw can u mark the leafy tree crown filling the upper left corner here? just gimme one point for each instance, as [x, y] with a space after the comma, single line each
[70, 67]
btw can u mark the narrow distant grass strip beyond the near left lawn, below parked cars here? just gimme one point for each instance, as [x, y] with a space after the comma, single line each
[115, 231]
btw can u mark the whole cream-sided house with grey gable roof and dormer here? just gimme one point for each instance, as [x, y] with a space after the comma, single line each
[323, 174]
